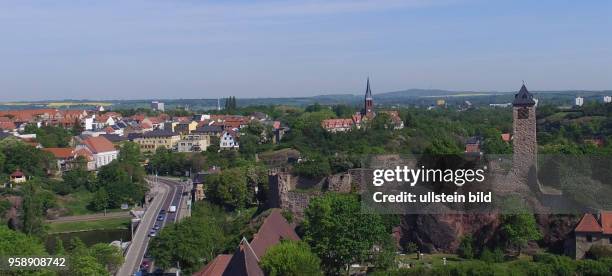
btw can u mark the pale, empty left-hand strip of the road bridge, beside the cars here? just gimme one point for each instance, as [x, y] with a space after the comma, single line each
[140, 241]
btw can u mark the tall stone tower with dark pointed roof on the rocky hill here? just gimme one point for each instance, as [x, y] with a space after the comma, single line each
[524, 139]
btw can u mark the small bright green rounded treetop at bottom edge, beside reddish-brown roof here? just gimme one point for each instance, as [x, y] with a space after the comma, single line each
[290, 258]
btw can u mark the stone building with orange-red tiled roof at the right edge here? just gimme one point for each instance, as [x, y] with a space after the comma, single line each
[592, 230]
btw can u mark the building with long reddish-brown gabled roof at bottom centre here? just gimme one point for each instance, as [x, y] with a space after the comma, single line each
[246, 258]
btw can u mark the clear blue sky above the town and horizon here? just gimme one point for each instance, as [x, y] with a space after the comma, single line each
[207, 49]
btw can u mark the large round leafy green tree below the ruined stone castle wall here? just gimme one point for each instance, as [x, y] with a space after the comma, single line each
[339, 233]
